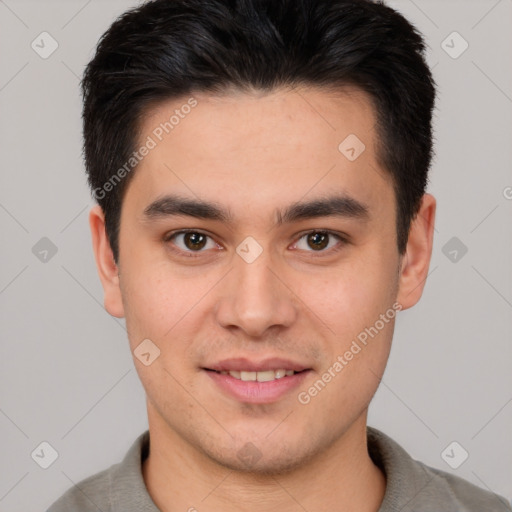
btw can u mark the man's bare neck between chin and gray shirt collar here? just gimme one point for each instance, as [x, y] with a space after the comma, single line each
[179, 477]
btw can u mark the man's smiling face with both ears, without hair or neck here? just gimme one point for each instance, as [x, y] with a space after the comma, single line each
[258, 286]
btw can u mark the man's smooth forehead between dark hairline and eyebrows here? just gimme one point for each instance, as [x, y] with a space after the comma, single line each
[262, 149]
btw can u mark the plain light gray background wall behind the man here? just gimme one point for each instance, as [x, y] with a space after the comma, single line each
[67, 376]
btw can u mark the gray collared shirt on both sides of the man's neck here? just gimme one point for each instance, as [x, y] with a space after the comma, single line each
[411, 485]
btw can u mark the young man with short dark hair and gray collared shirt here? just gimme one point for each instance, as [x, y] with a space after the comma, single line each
[260, 168]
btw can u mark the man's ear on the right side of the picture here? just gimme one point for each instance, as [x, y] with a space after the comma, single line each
[416, 260]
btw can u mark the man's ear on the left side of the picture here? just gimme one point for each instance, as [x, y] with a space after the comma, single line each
[107, 267]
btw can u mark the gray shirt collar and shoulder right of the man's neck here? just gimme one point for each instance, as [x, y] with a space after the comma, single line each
[413, 486]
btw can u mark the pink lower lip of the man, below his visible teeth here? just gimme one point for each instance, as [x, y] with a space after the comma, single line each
[257, 392]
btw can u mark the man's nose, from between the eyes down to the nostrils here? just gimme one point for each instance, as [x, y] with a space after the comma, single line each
[255, 297]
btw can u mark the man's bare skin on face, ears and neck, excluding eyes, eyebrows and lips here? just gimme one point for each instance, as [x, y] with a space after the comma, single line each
[254, 154]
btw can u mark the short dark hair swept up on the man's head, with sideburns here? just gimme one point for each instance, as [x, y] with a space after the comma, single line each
[166, 49]
